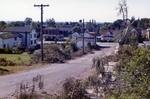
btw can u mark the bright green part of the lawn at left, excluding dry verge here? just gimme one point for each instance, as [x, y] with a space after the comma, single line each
[19, 59]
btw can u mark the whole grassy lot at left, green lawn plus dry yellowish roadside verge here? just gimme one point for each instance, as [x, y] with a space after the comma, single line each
[22, 62]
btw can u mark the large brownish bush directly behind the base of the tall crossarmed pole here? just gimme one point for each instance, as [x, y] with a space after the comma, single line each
[52, 54]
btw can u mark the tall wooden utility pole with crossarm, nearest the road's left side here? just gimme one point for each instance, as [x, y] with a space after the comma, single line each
[41, 30]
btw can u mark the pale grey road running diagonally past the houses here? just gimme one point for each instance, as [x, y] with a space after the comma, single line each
[53, 74]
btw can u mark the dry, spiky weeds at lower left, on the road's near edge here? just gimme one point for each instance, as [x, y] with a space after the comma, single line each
[29, 91]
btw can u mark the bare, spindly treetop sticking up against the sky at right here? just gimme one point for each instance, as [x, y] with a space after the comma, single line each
[123, 9]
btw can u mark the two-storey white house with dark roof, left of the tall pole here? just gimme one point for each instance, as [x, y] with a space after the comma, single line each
[29, 35]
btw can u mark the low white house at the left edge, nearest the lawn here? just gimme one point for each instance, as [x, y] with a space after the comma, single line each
[10, 40]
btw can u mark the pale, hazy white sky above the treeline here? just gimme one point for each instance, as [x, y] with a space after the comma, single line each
[71, 10]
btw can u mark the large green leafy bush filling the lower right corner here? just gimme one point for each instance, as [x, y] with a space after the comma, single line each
[133, 73]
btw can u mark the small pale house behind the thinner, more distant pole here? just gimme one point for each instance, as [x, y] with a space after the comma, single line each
[89, 38]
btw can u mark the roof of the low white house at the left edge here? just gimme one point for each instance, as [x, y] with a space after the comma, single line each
[8, 35]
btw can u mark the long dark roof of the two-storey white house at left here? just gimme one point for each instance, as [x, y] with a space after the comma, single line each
[18, 29]
